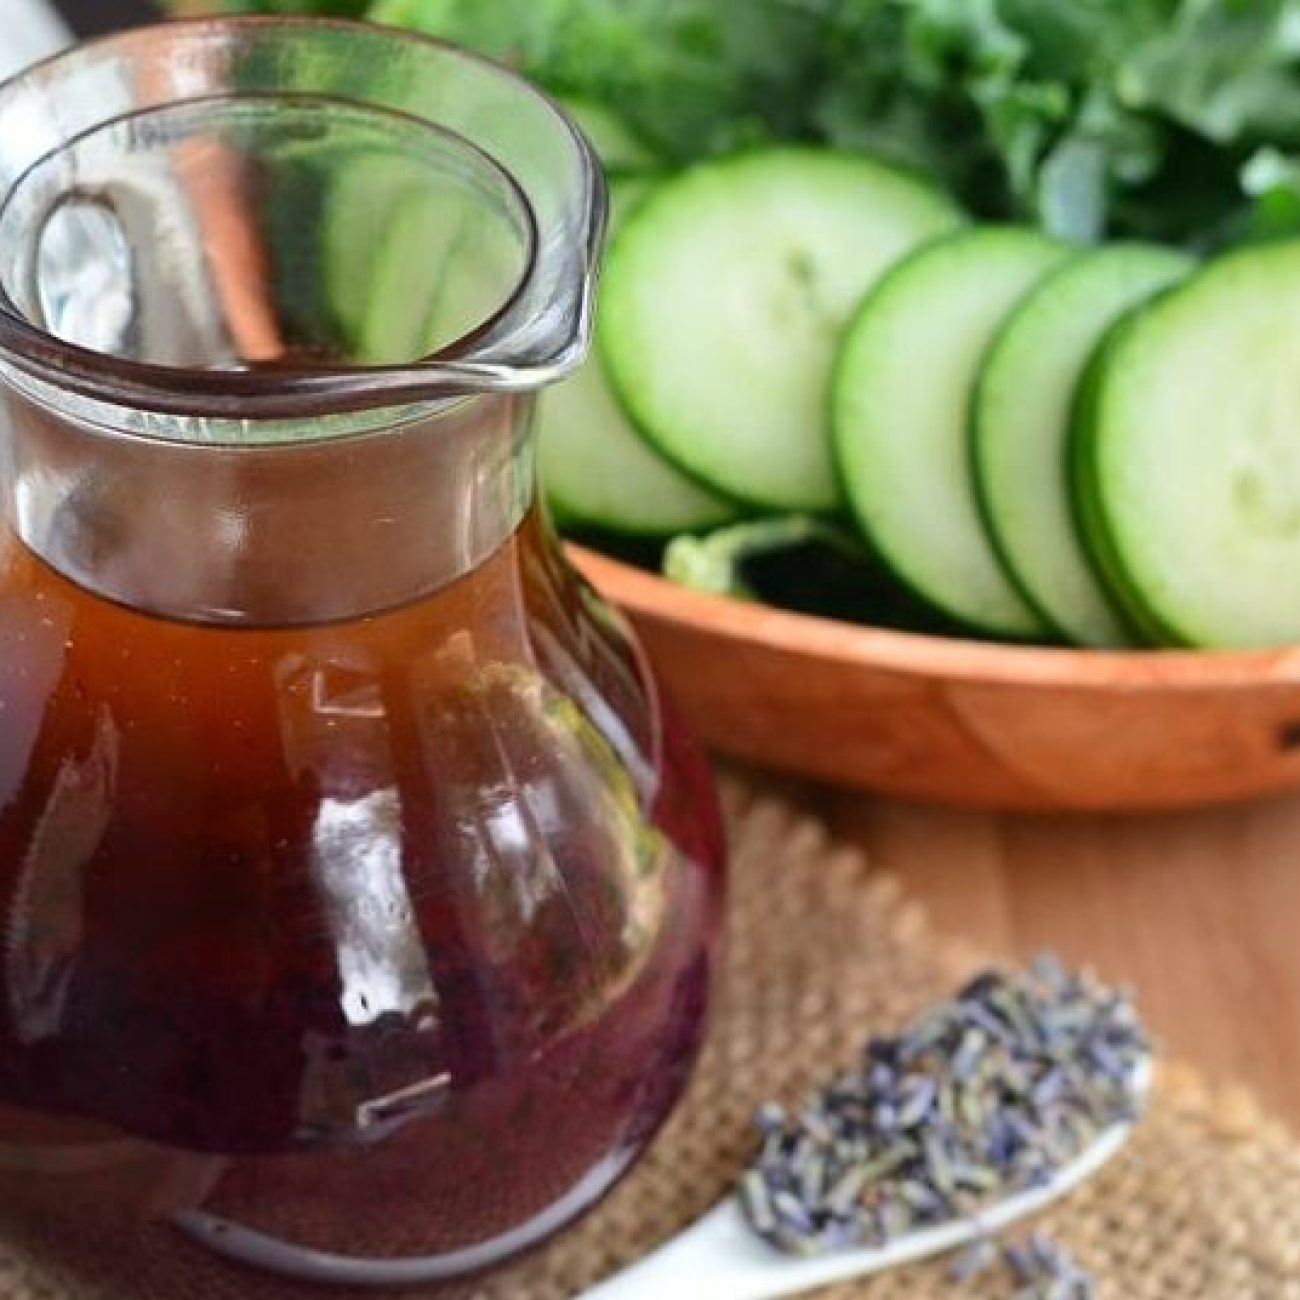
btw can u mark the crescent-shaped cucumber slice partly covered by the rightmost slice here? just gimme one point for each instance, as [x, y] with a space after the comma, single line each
[1024, 406]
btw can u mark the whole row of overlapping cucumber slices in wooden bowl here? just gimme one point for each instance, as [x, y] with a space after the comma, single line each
[1032, 441]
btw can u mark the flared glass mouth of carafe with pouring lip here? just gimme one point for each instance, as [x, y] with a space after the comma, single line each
[272, 220]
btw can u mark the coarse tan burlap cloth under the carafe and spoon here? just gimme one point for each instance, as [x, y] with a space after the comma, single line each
[1204, 1206]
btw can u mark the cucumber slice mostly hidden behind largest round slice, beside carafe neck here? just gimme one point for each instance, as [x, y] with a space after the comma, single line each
[597, 470]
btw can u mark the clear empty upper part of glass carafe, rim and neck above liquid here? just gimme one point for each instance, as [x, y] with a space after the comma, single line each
[276, 240]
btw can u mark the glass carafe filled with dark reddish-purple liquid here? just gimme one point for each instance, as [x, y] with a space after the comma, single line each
[359, 894]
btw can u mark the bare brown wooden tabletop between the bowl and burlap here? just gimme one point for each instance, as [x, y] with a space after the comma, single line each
[1199, 912]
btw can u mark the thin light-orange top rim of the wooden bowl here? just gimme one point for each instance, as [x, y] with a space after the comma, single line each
[649, 596]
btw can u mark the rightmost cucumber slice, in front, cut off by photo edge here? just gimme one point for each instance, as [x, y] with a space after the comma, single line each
[1189, 456]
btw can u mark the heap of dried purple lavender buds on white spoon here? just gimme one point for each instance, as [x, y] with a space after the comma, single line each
[986, 1097]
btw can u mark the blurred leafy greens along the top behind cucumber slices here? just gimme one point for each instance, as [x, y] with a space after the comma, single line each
[1094, 118]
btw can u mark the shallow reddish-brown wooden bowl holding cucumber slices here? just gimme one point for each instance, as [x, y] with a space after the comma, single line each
[961, 722]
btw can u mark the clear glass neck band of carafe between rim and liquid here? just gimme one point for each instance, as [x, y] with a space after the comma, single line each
[270, 535]
